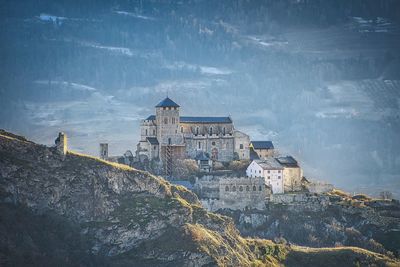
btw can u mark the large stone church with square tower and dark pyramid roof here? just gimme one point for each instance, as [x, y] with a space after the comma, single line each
[167, 135]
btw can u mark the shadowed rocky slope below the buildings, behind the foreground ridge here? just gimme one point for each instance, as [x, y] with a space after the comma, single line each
[367, 223]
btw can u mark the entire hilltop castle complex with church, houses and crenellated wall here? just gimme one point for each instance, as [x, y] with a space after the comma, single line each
[167, 138]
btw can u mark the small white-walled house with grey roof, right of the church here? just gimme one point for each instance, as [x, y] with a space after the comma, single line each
[270, 170]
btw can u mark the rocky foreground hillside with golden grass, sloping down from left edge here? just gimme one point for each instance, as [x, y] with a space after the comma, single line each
[76, 210]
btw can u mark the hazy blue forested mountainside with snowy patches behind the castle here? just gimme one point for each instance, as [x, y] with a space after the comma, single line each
[321, 79]
